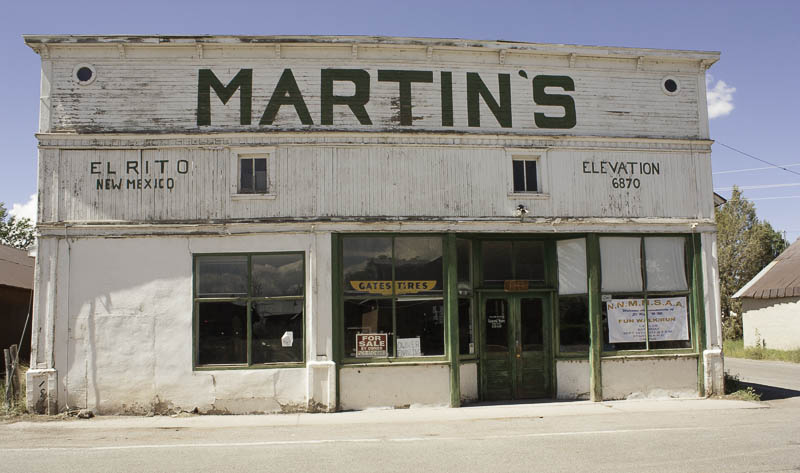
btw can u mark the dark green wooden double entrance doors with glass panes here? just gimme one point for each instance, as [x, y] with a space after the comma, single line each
[514, 351]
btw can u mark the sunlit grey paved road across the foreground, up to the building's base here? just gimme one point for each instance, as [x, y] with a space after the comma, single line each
[698, 435]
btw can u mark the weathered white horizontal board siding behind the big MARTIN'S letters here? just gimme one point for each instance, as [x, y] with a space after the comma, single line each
[143, 93]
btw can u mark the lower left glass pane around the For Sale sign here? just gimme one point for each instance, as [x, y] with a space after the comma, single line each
[367, 317]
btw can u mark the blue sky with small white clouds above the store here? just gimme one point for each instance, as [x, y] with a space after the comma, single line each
[755, 82]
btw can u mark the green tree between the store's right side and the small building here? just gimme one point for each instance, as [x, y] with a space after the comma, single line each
[745, 246]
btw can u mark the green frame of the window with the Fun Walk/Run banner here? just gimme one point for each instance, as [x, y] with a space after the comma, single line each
[650, 346]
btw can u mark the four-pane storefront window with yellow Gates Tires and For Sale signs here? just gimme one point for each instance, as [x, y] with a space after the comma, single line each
[394, 305]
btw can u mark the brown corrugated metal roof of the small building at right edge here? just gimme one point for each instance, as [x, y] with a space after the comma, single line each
[781, 278]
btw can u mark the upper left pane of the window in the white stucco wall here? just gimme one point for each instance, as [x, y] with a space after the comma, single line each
[221, 276]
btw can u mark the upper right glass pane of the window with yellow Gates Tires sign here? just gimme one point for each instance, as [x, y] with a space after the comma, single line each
[418, 265]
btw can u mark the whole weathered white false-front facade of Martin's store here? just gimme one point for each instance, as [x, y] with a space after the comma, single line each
[257, 224]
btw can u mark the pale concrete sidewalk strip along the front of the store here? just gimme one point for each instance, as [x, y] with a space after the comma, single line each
[396, 416]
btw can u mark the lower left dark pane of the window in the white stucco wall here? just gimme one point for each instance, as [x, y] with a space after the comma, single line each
[222, 337]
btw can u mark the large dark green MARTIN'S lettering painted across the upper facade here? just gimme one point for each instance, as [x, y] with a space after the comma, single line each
[287, 92]
